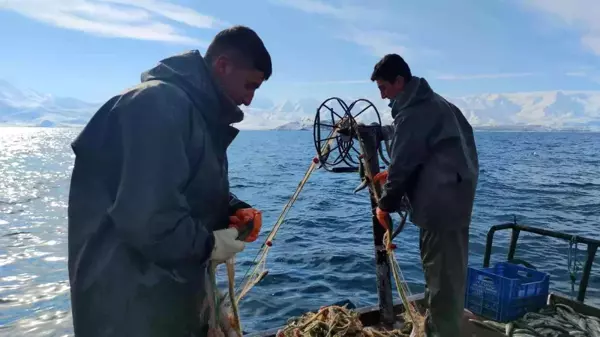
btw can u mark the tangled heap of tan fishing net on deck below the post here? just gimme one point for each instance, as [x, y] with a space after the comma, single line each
[336, 321]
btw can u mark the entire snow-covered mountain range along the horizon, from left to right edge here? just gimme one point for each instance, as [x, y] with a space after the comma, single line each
[578, 110]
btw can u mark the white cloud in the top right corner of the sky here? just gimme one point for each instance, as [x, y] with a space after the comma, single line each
[580, 14]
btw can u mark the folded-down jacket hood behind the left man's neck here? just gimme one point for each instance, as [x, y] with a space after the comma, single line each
[189, 72]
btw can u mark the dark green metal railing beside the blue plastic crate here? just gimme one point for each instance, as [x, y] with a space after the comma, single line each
[592, 248]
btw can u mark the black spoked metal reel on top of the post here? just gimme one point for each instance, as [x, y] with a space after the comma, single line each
[332, 148]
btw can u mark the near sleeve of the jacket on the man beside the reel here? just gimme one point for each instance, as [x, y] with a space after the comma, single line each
[409, 151]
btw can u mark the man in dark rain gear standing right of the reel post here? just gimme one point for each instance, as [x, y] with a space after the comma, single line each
[434, 162]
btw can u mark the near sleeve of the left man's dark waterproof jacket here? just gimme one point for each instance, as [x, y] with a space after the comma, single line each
[150, 211]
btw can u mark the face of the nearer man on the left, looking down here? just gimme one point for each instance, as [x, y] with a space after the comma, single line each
[238, 82]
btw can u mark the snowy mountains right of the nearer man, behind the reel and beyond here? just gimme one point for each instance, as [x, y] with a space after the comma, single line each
[549, 110]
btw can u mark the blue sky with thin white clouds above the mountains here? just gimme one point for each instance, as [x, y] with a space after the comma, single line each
[93, 49]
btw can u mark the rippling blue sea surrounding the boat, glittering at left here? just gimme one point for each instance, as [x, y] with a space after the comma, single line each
[323, 252]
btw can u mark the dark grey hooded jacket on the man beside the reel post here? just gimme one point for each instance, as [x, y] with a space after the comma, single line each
[433, 159]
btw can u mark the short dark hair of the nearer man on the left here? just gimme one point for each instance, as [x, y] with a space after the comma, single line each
[243, 44]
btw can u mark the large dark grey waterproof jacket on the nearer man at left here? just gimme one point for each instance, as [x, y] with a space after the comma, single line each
[149, 185]
